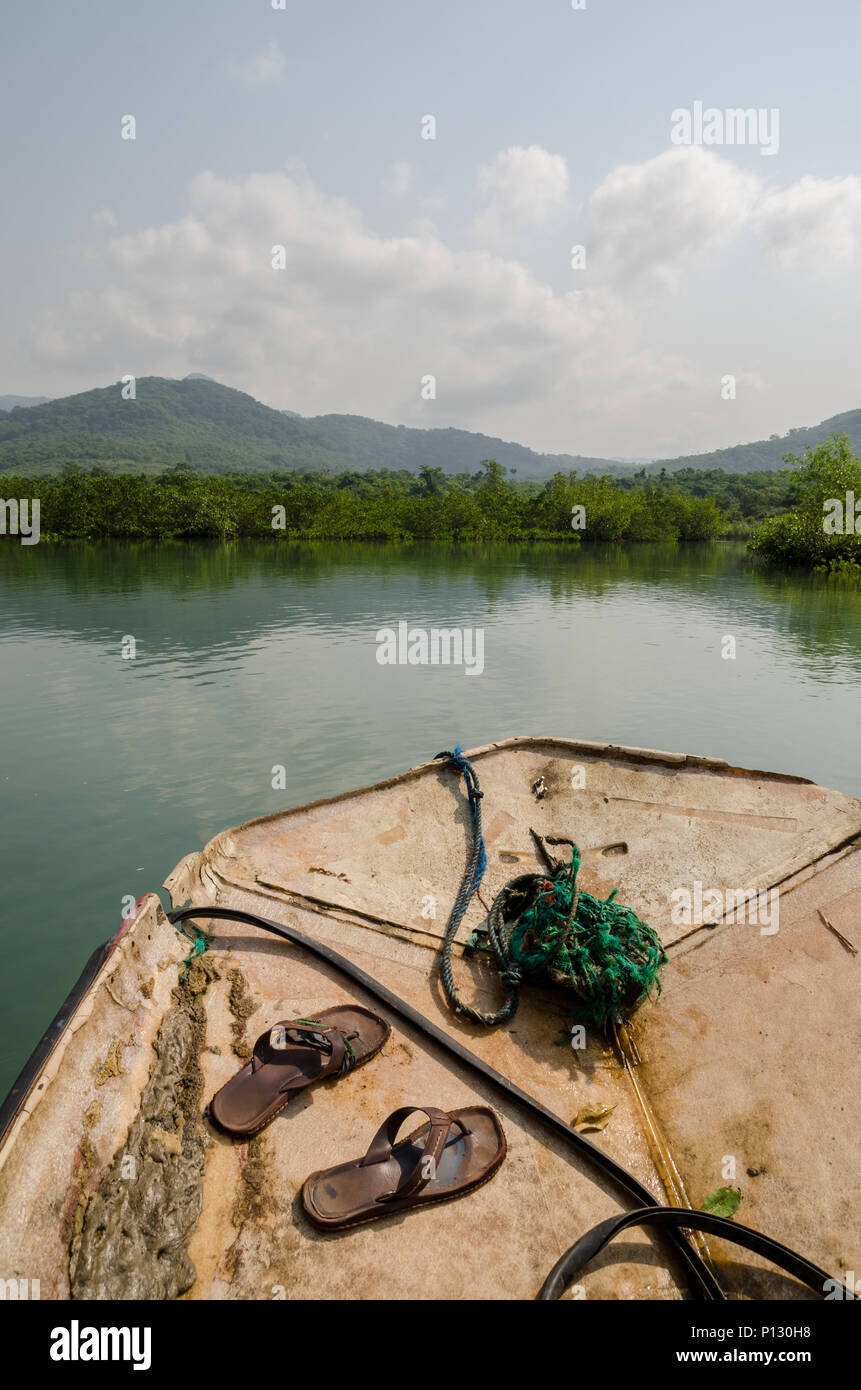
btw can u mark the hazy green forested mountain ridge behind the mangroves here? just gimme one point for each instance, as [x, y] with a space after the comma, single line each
[215, 429]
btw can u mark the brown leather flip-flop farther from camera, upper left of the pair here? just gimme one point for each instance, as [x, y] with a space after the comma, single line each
[293, 1056]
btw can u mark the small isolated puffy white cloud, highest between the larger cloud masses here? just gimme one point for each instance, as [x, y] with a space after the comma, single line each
[522, 190]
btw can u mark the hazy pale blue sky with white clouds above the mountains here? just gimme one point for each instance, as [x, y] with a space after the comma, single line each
[408, 258]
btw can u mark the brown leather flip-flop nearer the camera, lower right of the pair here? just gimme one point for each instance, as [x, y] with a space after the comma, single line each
[446, 1159]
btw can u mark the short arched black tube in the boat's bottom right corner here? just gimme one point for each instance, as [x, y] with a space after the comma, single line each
[575, 1260]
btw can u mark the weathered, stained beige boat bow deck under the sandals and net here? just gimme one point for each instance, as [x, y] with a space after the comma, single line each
[115, 1185]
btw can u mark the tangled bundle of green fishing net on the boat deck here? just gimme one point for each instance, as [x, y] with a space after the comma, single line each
[606, 956]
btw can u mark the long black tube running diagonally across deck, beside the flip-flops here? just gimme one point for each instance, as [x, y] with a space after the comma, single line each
[702, 1279]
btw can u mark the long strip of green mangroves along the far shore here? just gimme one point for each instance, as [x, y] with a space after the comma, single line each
[386, 507]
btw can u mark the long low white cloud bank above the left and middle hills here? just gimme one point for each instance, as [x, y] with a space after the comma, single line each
[351, 325]
